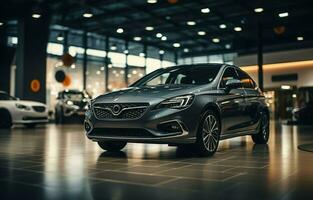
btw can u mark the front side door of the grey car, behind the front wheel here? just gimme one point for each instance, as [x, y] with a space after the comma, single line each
[231, 103]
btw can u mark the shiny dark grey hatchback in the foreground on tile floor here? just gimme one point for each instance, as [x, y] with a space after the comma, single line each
[189, 106]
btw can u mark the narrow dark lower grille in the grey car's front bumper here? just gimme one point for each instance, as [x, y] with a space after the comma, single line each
[121, 132]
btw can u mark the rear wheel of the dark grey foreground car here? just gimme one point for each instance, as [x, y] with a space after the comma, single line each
[262, 136]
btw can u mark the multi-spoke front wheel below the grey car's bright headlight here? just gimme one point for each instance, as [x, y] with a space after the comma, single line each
[208, 135]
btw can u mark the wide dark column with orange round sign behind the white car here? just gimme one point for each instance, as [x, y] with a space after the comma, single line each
[32, 56]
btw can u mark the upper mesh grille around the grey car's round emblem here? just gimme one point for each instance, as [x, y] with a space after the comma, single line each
[104, 111]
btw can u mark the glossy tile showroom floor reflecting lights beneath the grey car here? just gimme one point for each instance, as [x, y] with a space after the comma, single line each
[58, 162]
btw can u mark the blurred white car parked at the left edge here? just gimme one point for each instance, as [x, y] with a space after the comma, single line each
[15, 111]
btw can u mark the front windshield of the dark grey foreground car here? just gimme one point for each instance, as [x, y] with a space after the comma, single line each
[187, 75]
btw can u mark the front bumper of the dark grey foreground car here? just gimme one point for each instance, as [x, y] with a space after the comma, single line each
[150, 128]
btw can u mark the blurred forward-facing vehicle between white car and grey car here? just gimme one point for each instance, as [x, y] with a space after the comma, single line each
[70, 104]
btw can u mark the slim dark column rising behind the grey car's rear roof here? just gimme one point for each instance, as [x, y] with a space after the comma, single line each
[260, 56]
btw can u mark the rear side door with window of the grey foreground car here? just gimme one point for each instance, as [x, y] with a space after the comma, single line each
[252, 104]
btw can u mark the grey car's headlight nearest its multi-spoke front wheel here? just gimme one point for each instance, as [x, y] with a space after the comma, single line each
[179, 102]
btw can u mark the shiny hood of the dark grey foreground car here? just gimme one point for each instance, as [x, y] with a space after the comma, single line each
[148, 93]
